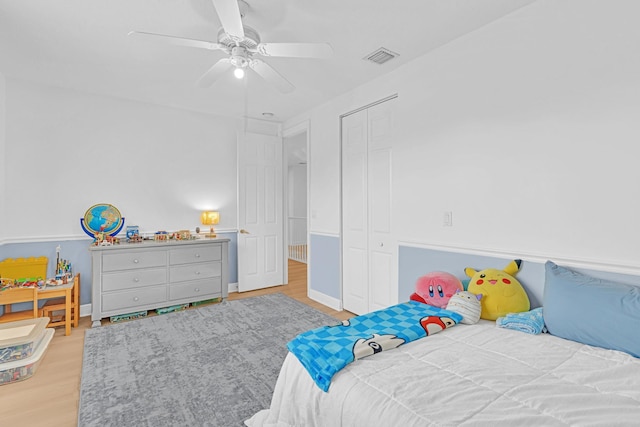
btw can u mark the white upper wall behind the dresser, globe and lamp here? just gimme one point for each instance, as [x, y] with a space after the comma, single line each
[66, 151]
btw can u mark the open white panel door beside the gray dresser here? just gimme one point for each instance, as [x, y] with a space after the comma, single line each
[260, 218]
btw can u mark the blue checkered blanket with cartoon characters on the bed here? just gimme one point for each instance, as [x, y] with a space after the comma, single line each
[324, 351]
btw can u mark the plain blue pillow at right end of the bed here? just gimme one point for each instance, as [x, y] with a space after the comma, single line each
[592, 311]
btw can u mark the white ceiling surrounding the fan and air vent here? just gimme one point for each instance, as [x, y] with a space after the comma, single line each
[83, 45]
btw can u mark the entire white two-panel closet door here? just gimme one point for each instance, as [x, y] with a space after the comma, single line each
[369, 253]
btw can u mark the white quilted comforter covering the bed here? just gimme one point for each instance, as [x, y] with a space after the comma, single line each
[469, 375]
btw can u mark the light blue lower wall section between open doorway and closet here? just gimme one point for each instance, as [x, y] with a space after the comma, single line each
[325, 265]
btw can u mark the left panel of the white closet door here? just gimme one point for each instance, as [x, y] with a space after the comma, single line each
[355, 287]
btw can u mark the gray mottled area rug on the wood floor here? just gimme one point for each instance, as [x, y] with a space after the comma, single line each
[212, 366]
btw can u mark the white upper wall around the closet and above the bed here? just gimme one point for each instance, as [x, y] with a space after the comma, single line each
[525, 129]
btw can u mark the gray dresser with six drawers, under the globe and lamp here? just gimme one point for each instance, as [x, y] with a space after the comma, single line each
[144, 276]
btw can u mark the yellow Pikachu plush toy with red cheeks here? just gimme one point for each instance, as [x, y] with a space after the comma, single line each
[501, 292]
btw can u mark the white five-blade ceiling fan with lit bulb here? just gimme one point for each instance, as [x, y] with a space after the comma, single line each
[242, 45]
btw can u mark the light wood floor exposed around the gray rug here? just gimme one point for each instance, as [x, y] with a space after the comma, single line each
[50, 397]
